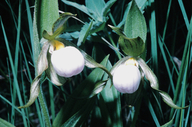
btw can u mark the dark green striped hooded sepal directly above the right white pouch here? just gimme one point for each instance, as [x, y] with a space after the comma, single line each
[130, 46]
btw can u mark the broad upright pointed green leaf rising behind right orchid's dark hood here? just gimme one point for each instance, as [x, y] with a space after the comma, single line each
[135, 25]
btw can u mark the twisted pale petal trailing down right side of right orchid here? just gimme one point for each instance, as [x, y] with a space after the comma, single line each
[151, 77]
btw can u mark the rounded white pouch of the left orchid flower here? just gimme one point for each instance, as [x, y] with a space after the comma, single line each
[67, 61]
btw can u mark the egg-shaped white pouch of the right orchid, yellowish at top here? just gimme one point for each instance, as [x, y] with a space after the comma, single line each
[127, 77]
